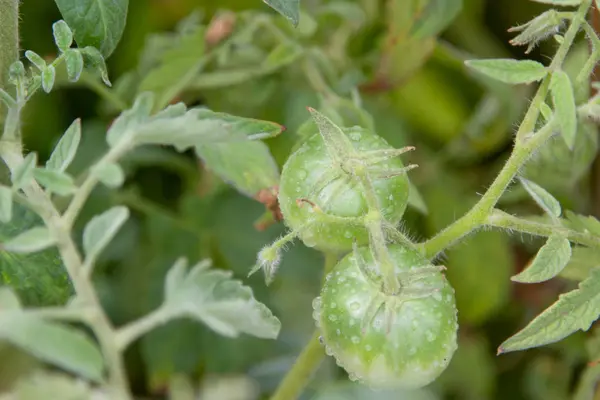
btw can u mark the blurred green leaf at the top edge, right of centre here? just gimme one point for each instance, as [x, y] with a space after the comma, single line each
[436, 17]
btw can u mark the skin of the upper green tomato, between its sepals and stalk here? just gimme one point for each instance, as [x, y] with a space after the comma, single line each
[331, 227]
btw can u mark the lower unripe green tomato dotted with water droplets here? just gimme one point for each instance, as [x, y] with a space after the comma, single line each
[385, 341]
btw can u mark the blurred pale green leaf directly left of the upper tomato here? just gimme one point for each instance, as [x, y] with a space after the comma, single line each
[248, 166]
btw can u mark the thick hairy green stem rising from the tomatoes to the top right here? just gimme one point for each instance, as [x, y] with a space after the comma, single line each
[525, 145]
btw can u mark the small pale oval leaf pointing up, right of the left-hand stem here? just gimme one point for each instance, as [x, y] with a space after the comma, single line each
[101, 230]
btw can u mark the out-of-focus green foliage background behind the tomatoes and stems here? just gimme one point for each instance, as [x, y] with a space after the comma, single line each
[418, 93]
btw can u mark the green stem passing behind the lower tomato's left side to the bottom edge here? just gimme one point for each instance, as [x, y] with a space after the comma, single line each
[309, 359]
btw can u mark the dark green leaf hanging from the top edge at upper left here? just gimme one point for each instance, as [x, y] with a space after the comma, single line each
[97, 23]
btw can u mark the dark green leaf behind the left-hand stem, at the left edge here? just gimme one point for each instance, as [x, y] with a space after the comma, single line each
[38, 278]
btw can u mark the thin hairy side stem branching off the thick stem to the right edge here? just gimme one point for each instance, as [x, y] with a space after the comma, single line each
[500, 219]
